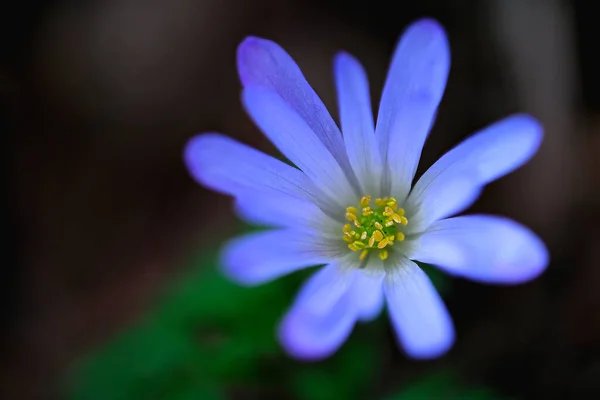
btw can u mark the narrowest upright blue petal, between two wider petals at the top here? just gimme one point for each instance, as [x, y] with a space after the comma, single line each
[356, 117]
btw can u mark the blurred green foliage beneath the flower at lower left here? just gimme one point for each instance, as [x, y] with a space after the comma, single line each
[208, 336]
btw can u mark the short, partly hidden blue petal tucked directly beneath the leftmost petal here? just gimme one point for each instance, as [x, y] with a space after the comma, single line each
[284, 211]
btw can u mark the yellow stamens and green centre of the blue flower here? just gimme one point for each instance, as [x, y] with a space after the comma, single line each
[374, 228]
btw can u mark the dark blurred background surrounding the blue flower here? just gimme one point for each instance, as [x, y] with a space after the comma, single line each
[102, 226]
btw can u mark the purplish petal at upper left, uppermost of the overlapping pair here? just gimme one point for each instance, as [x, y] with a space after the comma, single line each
[265, 64]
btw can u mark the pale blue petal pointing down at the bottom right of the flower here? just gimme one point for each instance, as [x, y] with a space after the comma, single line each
[420, 318]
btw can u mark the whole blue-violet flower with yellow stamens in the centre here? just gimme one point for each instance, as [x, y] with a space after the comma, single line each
[349, 204]
